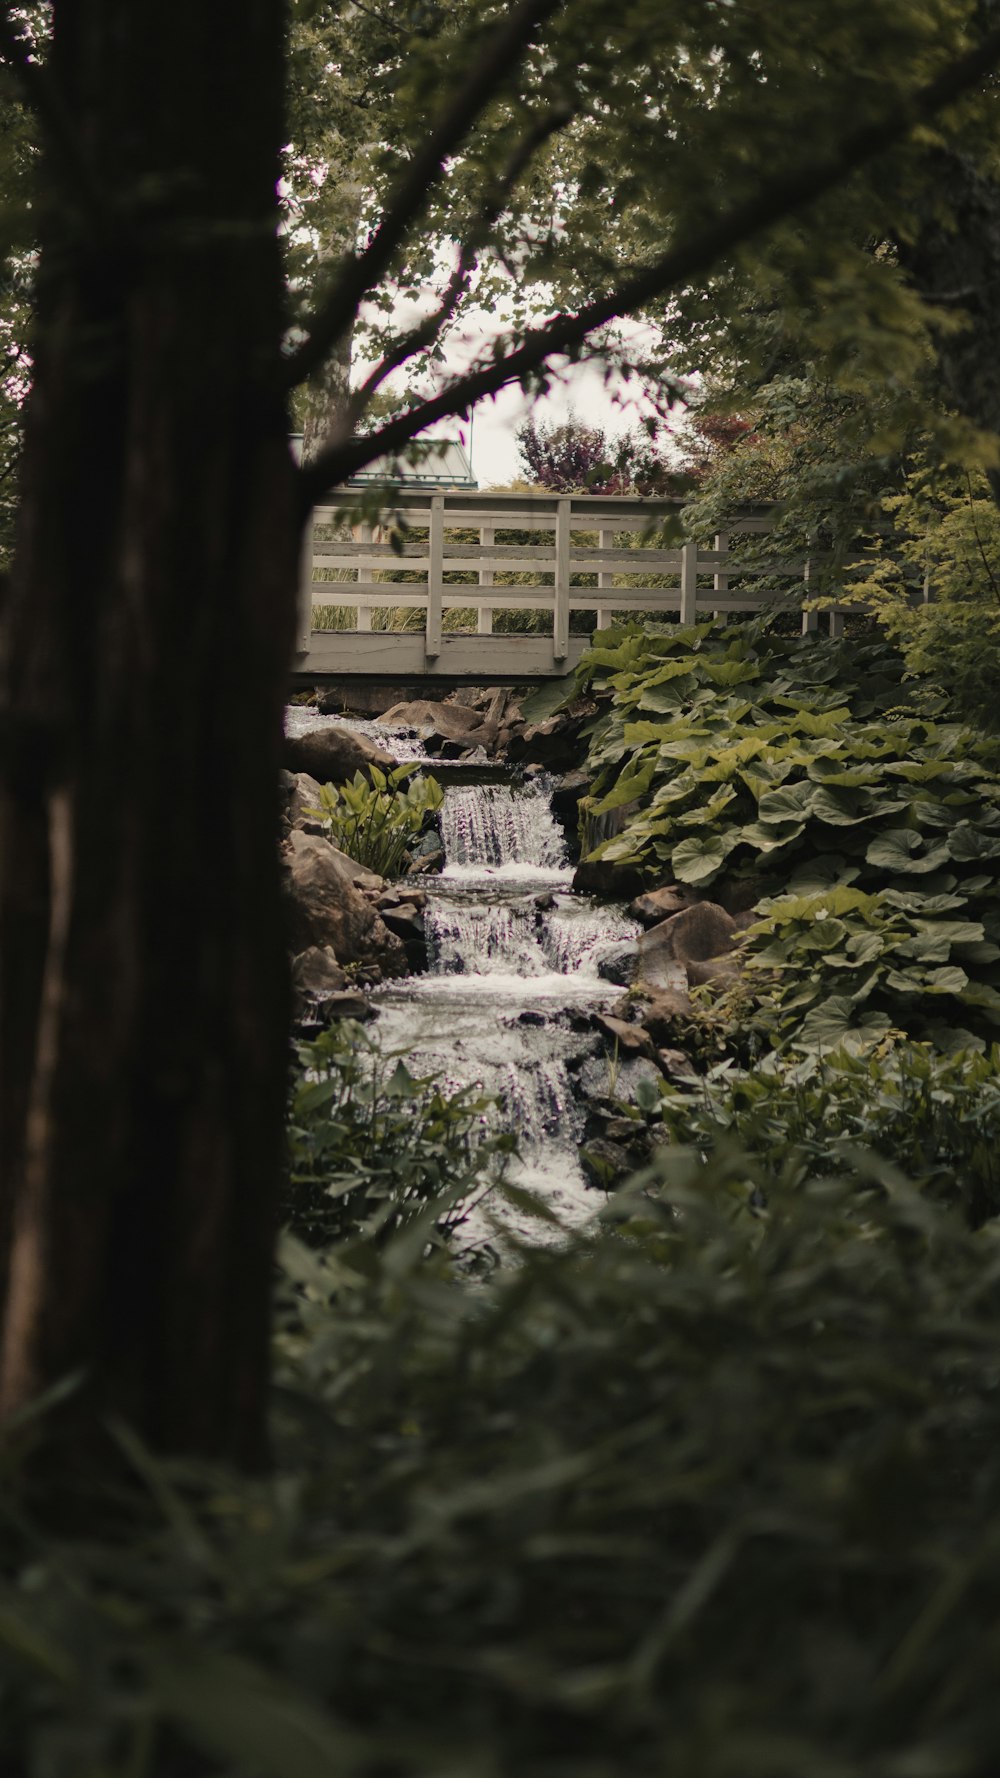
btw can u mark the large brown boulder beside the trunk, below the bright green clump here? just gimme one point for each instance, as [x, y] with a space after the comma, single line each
[327, 908]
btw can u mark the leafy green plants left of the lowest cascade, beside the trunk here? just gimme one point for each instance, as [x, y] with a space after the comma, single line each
[373, 1146]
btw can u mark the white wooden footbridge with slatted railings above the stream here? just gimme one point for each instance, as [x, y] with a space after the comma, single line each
[487, 554]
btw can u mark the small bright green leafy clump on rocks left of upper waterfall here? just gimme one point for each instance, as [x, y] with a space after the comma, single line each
[376, 815]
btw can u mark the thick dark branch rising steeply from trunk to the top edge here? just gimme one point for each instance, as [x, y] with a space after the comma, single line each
[362, 273]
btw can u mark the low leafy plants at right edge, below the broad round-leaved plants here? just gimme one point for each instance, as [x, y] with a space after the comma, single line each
[935, 1117]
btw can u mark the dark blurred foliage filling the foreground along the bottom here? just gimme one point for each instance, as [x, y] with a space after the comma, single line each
[713, 1491]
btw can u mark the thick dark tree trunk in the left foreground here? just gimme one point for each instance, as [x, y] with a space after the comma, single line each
[143, 1014]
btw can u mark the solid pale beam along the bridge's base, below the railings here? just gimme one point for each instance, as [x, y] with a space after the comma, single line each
[462, 659]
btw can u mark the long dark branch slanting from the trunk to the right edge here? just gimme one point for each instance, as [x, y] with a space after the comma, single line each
[773, 204]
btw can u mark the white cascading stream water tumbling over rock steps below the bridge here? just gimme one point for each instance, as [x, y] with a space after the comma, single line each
[513, 979]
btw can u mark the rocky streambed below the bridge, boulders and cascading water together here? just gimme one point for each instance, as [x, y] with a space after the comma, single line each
[563, 986]
